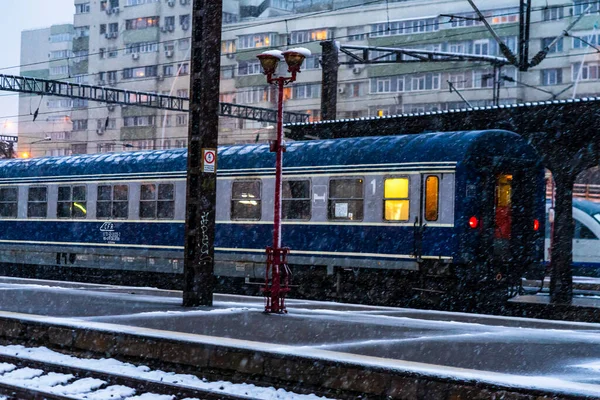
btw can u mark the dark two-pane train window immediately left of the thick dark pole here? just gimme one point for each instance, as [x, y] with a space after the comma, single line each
[157, 201]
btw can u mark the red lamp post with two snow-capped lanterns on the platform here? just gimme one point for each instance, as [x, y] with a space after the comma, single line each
[274, 291]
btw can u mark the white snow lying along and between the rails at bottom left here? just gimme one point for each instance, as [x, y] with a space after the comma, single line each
[117, 367]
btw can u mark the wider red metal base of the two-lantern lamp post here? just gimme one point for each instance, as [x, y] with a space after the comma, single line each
[277, 276]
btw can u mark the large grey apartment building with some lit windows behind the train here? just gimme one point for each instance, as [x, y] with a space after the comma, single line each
[145, 45]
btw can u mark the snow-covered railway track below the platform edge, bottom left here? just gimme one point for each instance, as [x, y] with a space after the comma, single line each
[23, 378]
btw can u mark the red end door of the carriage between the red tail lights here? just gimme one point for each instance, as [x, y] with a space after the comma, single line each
[503, 215]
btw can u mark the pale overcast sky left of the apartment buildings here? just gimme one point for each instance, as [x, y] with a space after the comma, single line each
[16, 16]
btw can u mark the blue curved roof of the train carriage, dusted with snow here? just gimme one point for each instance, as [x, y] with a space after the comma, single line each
[429, 147]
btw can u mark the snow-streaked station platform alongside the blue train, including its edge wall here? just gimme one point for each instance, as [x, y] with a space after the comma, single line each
[401, 353]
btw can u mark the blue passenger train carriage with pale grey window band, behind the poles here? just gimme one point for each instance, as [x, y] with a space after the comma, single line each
[365, 218]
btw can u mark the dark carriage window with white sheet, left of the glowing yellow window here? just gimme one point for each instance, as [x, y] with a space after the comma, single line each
[346, 199]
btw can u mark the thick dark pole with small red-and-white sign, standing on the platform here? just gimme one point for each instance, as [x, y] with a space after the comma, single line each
[202, 148]
